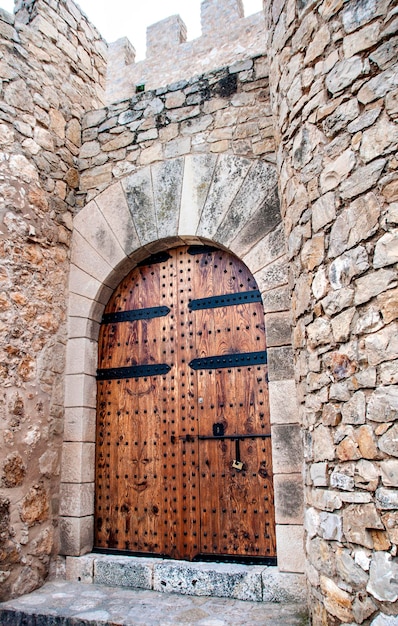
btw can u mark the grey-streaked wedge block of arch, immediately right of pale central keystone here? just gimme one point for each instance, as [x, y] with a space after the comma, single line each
[229, 175]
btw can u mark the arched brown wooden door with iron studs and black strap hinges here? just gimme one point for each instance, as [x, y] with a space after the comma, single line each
[183, 462]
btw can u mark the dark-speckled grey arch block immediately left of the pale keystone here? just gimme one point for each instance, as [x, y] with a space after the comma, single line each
[167, 187]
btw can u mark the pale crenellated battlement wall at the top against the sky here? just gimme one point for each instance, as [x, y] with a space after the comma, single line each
[227, 37]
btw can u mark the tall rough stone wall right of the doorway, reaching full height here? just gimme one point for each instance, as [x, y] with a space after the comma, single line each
[334, 88]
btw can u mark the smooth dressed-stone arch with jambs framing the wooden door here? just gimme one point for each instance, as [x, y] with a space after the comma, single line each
[224, 200]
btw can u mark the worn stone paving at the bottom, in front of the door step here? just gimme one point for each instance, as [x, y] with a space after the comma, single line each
[62, 604]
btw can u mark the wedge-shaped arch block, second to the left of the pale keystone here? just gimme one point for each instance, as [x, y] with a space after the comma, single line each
[139, 195]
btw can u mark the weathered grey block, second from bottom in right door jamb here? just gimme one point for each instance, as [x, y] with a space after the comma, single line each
[288, 498]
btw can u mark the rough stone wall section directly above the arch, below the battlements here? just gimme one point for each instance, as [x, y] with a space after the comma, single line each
[225, 111]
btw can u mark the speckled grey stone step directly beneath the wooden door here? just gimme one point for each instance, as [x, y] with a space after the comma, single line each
[255, 583]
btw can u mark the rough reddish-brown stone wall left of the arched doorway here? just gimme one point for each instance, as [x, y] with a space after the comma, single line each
[52, 70]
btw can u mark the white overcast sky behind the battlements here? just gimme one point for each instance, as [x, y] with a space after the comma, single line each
[130, 18]
